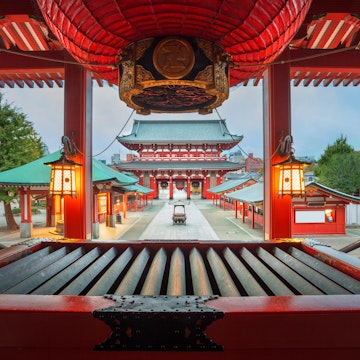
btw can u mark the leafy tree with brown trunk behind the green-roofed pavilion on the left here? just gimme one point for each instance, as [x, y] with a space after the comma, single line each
[19, 144]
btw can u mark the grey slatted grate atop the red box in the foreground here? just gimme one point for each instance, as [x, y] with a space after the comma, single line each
[178, 270]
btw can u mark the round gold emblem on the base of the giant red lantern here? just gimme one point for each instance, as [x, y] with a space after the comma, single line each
[173, 58]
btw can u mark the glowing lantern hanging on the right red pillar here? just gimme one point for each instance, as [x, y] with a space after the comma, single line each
[291, 177]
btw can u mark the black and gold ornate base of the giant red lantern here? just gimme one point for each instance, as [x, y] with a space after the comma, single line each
[173, 75]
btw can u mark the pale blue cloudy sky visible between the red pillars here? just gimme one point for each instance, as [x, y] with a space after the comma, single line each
[319, 116]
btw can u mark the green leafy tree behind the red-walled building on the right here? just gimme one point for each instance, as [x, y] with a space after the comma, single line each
[339, 167]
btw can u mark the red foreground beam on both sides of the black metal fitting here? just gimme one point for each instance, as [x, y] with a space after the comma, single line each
[286, 327]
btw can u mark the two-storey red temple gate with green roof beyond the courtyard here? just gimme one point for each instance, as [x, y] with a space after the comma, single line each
[180, 154]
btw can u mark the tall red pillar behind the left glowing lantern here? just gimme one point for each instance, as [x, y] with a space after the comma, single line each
[77, 126]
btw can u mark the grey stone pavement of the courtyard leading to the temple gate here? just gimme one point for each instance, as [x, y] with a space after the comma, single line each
[205, 221]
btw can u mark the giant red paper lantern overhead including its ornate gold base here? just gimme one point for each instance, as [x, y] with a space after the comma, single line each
[174, 56]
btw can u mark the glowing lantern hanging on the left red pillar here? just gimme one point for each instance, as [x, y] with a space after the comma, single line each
[63, 177]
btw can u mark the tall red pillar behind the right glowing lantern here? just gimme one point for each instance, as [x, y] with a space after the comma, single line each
[277, 123]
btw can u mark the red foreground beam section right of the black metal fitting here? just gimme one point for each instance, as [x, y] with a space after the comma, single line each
[320, 327]
